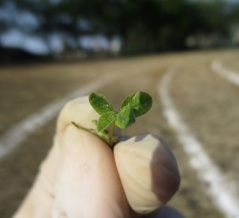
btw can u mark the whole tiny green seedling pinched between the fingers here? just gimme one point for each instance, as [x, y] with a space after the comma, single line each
[133, 106]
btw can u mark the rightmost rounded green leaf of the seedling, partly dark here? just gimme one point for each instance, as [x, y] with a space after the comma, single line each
[140, 102]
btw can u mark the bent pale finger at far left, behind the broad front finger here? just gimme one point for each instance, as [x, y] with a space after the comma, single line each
[38, 201]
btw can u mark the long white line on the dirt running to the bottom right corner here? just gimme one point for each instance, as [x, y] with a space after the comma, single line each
[222, 196]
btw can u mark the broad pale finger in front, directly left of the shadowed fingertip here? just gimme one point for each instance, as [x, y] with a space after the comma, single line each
[87, 183]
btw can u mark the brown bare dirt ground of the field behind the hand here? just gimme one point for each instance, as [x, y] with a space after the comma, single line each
[206, 102]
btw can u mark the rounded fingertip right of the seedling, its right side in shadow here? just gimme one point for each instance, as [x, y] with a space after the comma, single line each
[148, 172]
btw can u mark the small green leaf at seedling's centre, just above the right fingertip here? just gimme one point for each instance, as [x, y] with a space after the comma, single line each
[125, 117]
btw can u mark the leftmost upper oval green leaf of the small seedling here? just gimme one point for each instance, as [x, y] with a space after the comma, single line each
[100, 103]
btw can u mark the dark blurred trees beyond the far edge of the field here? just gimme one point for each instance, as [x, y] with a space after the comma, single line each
[144, 26]
